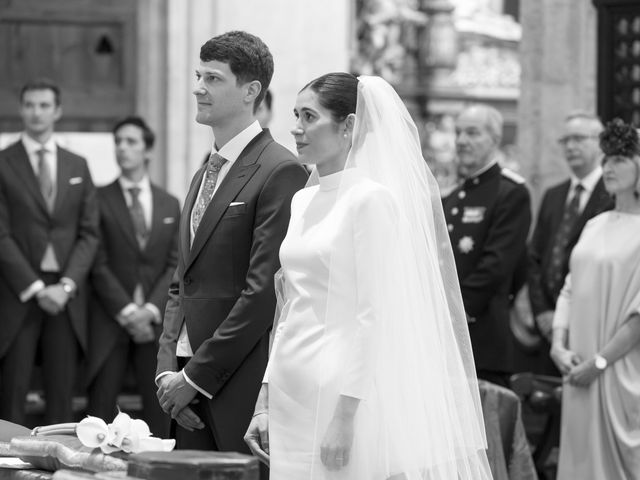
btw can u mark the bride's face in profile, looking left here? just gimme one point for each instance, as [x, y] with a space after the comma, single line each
[319, 139]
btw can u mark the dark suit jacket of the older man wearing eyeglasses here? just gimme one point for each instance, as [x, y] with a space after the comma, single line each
[549, 218]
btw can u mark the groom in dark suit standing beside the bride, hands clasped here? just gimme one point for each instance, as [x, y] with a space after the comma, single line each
[214, 345]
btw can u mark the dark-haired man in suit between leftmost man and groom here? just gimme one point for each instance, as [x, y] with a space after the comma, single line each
[130, 278]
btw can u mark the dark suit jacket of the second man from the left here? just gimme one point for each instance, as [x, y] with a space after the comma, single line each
[121, 265]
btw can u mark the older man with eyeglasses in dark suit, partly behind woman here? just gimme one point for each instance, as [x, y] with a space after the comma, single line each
[564, 210]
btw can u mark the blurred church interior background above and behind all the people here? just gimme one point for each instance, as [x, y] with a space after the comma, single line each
[535, 61]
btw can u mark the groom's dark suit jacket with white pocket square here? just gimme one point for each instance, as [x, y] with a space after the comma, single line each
[223, 288]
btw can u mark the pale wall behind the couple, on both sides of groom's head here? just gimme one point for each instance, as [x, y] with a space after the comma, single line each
[307, 38]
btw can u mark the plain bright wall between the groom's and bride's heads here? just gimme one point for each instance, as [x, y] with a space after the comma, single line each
[307, 38]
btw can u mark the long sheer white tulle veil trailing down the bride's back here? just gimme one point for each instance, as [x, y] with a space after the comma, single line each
[423, 418]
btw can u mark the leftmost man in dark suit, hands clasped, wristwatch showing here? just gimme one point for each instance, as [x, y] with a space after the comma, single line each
[48, 239]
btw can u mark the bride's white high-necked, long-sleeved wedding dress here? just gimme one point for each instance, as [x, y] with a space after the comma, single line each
[315, 356]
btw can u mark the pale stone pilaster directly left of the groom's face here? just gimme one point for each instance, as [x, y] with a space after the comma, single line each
[170, 34]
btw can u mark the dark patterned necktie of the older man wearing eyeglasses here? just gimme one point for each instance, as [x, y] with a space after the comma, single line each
[559, 257]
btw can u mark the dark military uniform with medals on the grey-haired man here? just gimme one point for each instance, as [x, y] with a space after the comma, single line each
[488, 218]
